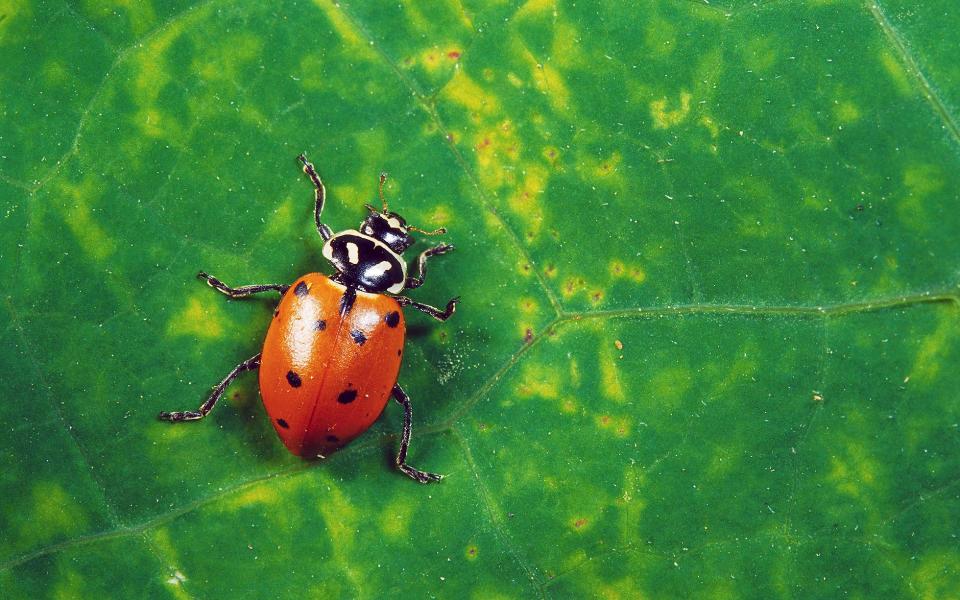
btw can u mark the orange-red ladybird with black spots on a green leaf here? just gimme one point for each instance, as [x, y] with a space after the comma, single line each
[331, 356]
